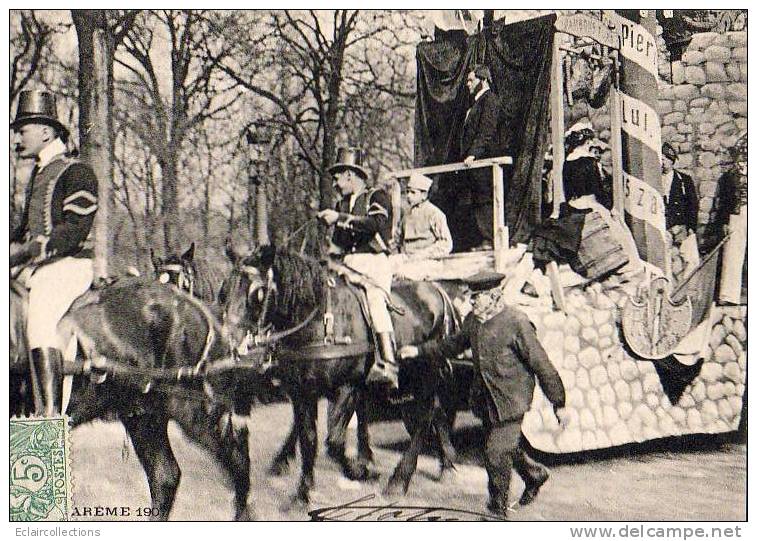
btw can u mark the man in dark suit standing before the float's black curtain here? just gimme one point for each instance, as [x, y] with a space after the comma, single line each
[479, 140]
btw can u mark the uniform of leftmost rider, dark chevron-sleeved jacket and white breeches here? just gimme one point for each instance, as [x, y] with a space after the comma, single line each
[59, 212]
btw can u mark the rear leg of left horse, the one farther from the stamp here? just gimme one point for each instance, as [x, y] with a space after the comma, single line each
[213, 427]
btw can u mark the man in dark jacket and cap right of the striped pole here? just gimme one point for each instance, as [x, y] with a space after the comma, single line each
[679, 192]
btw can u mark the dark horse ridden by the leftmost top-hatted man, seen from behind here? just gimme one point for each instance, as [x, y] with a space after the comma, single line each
[141, 339]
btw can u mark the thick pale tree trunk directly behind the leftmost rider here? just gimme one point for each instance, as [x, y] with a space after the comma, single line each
[95, 117]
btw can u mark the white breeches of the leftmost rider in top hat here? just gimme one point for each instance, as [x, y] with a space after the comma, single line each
[52, 290]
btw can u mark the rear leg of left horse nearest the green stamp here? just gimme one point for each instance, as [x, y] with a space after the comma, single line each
[149, 435]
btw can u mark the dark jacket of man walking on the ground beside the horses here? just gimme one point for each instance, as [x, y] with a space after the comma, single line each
[508, 357]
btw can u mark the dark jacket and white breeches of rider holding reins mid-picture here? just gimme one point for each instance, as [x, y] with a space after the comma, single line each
[362, 234]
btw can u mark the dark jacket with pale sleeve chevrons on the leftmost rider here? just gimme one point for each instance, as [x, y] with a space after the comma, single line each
[61, 201]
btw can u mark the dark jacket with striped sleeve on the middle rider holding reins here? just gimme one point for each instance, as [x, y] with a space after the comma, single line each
[367, 228]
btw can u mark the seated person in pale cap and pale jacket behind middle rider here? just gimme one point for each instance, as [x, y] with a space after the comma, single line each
[424, 232]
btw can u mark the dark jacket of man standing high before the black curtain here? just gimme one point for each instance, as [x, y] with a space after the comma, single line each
[480, 131]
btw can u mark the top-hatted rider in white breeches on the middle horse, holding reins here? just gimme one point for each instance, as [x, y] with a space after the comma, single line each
[362, 232]
